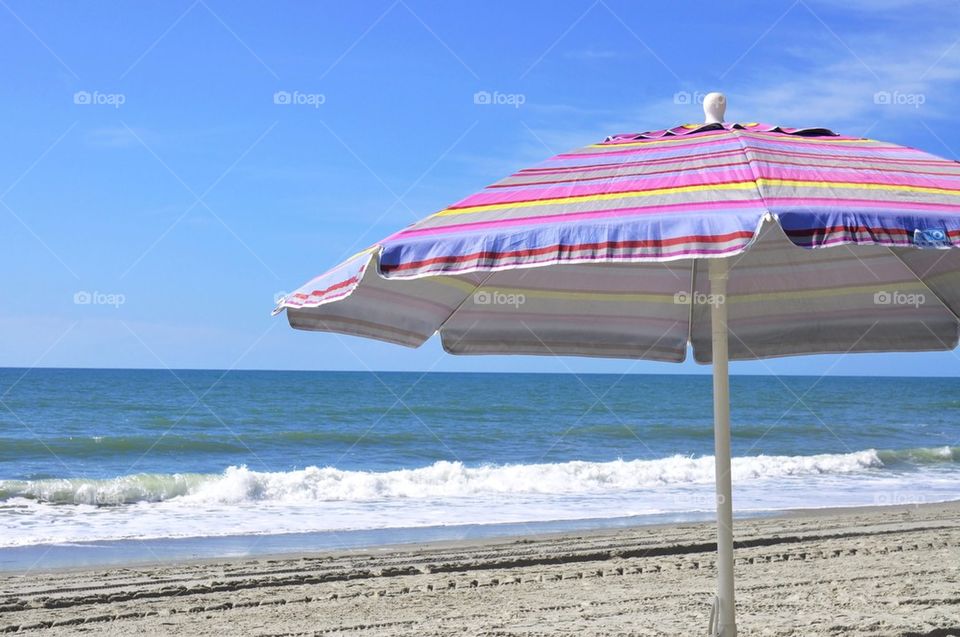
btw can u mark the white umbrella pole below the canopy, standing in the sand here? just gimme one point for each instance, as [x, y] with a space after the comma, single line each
[725, 623]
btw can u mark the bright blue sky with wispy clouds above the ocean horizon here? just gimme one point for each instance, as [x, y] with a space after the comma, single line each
[168, 168]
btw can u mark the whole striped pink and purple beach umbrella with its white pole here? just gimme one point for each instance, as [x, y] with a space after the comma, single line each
[741, 241]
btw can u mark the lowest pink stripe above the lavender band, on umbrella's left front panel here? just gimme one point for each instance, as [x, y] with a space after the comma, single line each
[580, 216]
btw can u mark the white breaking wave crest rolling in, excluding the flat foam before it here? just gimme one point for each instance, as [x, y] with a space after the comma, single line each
[443, 480]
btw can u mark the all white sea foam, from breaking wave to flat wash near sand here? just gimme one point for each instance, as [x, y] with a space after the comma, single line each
[244, 502]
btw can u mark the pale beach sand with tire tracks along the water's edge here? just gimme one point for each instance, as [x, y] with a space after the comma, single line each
[891, 571]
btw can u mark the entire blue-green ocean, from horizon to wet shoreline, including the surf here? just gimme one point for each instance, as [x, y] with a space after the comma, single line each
[121, 463]
